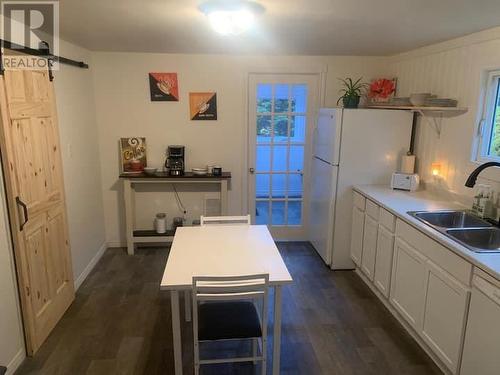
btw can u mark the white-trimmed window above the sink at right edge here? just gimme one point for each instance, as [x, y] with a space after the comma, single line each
[489, 129]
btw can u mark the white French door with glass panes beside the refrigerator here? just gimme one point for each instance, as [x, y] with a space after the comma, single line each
[281, 114]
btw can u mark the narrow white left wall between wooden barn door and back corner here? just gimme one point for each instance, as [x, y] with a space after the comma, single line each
[81, 161]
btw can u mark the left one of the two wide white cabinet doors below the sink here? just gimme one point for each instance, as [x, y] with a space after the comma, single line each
[408, 283]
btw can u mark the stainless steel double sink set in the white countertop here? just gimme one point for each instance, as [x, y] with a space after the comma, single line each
[469, 230]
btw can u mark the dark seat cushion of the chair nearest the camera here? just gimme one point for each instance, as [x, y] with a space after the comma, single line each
[228, 320]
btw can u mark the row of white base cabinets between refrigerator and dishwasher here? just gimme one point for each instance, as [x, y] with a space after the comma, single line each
[426, 284]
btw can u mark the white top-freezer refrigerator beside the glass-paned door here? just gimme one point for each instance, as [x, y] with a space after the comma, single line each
[350, 147]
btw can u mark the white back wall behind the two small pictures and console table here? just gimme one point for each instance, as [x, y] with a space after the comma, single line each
[124, 109]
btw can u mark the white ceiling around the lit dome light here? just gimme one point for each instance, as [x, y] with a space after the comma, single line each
[303, 27]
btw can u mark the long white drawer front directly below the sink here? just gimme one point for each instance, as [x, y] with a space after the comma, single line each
[440, 255]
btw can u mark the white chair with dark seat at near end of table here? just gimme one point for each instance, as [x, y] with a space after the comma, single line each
[224, 308]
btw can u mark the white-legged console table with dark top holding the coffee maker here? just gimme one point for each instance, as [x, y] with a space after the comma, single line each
[132, 180]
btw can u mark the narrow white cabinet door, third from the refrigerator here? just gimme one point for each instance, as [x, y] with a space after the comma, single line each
[383, 260]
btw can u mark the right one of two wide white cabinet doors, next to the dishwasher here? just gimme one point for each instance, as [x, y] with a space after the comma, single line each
[444, 315]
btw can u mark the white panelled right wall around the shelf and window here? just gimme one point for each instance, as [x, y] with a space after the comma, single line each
[450, 69]
